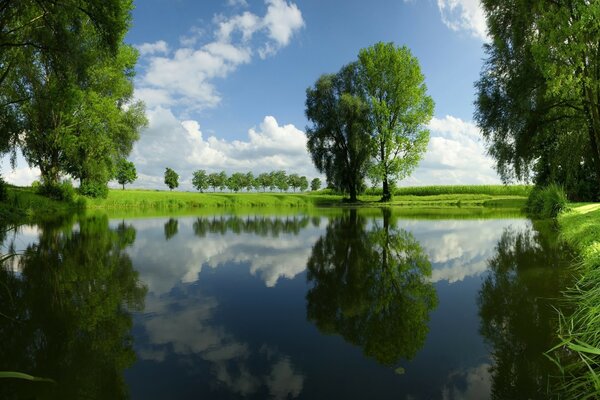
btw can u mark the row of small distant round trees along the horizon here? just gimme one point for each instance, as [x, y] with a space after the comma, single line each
[239, 181]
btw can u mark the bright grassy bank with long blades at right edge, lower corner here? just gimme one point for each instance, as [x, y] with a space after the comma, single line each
[579, 351]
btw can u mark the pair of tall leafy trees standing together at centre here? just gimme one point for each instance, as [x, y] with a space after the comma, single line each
[369, 119]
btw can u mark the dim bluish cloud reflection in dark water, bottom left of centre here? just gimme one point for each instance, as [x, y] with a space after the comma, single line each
[182, 325]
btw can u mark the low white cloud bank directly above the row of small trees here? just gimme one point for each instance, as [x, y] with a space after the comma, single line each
[181, 145]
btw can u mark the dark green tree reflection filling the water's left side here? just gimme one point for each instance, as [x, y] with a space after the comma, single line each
[67, 313]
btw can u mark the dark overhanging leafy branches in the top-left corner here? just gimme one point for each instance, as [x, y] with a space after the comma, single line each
[61, 38]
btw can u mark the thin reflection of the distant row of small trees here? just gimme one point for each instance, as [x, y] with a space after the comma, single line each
[260, 225]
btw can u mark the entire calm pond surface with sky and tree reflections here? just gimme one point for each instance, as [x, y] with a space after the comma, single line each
[350, 305]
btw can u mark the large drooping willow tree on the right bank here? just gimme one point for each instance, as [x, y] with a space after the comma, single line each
[538, 102]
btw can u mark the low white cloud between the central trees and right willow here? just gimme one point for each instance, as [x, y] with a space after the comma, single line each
[456, 154]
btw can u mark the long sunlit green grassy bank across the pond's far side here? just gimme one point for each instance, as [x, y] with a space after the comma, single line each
[25, 203]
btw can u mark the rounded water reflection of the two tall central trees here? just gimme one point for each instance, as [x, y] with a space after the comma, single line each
[372, 287]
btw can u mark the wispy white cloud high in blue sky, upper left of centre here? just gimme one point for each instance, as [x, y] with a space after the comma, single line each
[185, 77]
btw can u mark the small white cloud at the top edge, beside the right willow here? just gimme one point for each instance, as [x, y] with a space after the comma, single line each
[464, 15]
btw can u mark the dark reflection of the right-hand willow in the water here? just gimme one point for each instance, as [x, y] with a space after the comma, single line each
[516, 309]
